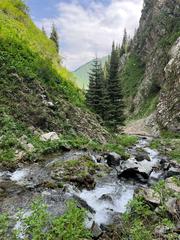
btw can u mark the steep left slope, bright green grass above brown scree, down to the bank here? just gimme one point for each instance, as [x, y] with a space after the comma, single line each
[36, 92]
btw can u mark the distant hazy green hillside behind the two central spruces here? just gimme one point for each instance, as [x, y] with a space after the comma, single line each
[82, 76]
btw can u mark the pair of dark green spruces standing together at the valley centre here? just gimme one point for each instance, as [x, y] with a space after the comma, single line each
[104, 95]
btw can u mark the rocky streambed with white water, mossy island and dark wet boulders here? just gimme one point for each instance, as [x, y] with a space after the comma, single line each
[101, 183]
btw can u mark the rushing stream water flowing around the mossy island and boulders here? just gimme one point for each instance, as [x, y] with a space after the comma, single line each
[109, 197]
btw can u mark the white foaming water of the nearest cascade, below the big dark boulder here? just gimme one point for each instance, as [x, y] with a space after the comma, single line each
[120, 194]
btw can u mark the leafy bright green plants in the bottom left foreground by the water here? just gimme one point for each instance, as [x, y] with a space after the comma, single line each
[42, 225]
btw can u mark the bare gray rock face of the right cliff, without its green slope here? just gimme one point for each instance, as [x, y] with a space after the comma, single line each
[162, 63]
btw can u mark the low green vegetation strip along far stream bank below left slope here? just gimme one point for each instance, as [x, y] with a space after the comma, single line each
[13, 132]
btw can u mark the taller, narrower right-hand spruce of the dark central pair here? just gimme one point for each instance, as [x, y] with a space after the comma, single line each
[116, 105]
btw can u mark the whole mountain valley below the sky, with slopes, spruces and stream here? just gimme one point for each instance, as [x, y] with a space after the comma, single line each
[95, 153]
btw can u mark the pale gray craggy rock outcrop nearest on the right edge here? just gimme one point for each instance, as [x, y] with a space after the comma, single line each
[168, 108]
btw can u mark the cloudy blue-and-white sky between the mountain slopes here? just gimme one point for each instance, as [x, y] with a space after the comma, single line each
[86, 28]
